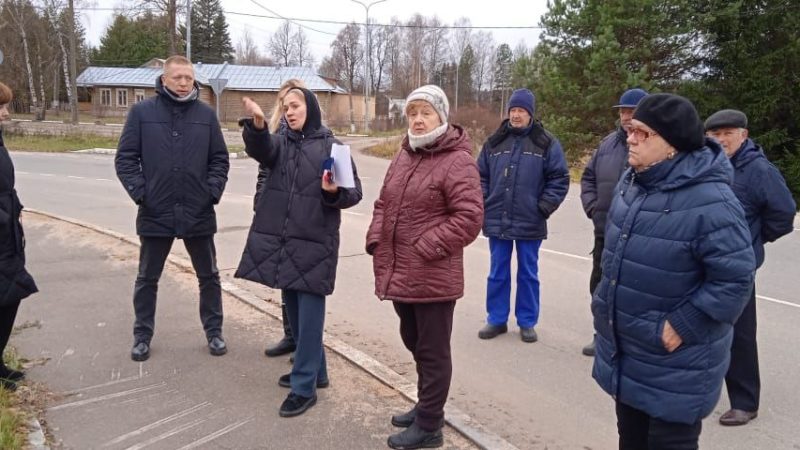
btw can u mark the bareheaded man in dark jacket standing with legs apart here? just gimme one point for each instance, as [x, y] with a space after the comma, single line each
[173, 162]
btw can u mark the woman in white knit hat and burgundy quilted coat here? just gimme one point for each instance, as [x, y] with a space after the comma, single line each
[429, 209]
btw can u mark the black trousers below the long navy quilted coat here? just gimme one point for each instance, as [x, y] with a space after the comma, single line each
[639, 431]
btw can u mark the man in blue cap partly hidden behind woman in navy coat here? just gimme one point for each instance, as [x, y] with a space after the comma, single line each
[601, 176]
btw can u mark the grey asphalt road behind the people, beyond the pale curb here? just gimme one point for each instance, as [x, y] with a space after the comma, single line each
[534, 395]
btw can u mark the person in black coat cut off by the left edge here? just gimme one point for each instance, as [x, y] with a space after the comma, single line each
[15, 282]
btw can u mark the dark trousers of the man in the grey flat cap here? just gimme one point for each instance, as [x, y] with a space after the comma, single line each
[743, 379]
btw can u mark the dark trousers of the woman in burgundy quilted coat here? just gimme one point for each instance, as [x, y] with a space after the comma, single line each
[425, 329]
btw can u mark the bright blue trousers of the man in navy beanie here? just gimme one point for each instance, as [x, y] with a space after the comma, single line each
[498, 286]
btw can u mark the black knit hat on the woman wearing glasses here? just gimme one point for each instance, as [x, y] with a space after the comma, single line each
[674, 118]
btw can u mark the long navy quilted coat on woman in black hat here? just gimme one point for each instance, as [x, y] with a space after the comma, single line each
[677, 248]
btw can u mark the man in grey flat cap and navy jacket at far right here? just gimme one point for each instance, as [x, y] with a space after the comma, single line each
[770, 210]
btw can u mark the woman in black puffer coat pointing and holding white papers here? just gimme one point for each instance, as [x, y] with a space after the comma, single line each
[293, 244]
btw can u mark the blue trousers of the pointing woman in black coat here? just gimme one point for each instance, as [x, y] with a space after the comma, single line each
[306, 314]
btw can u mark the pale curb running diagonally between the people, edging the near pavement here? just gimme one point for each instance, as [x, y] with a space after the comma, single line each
[456, 418]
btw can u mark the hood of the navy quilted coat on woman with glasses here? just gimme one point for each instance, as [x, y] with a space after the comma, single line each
[709, 164]
